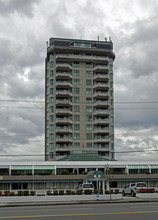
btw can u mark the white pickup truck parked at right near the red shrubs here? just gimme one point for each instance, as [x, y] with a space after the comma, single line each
[133, 188]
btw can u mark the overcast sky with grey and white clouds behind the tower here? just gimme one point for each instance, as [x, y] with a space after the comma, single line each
[26, 25]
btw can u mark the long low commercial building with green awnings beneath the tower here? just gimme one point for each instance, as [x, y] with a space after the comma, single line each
[42, 176]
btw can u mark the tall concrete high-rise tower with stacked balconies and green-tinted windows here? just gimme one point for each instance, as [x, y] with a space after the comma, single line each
[79, 101]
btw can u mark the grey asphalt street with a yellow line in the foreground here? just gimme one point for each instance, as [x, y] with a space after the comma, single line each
[117, 211]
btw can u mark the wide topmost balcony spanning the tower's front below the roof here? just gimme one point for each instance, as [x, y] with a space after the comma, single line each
[72, 57]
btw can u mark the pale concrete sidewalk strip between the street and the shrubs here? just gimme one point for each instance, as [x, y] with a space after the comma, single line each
[64, 200]
